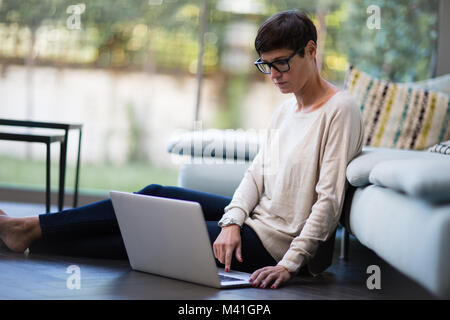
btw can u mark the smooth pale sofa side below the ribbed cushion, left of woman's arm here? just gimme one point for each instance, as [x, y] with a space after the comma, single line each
[217, 178]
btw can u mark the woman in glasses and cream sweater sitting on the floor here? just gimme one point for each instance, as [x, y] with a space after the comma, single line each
[290, 198]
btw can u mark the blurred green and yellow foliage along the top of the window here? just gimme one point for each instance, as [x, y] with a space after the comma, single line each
[133, 34]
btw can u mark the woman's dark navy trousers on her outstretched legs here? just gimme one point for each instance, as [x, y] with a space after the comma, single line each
[92, 230]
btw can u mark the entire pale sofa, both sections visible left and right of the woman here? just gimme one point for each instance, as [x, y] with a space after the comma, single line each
[397, 202]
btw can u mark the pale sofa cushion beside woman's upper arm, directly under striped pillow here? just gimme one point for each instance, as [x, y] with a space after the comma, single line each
[359, 168]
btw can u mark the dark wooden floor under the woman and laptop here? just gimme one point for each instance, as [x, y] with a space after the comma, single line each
[40, 277]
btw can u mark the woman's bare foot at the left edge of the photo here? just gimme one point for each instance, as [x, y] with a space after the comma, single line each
[18, 233]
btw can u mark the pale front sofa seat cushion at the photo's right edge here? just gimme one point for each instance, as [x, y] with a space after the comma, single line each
[428, 179]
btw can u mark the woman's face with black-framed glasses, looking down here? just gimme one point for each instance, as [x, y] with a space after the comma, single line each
[300, 71]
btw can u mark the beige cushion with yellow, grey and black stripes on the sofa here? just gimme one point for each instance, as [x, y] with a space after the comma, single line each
[397, 115]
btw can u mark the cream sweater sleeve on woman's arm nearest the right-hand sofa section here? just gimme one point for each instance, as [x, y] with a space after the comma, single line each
[342, 142]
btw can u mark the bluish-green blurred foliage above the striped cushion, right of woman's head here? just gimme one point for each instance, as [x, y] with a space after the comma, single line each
[402, 50]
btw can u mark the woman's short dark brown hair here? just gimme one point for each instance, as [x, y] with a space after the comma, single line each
[287, 29]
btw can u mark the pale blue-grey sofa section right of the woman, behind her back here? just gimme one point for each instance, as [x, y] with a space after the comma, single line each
[398, 205]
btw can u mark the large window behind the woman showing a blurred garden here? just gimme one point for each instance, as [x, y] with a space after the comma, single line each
[127, 71]
